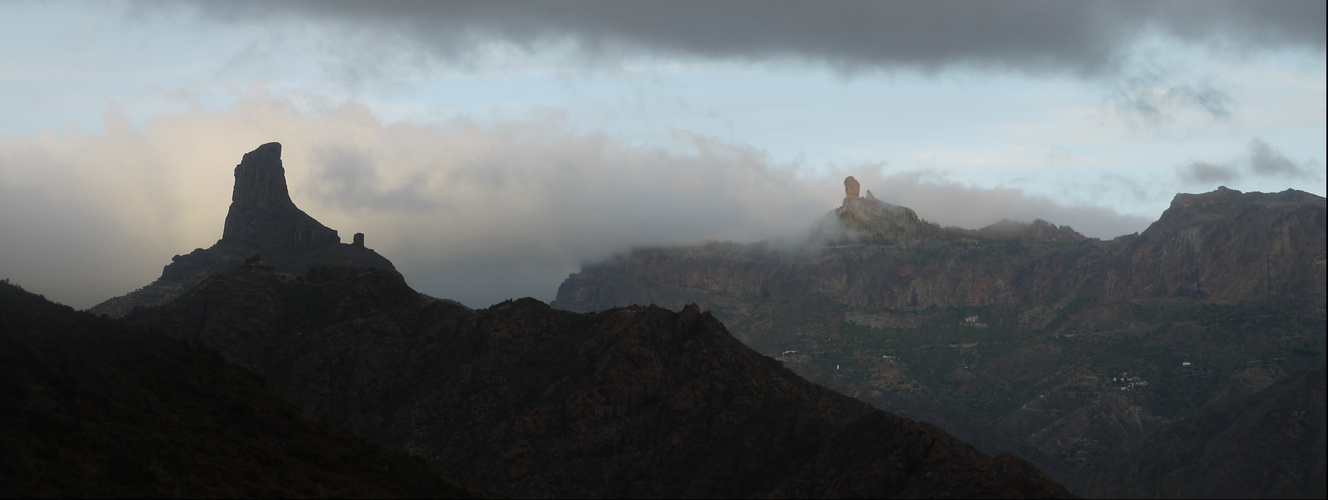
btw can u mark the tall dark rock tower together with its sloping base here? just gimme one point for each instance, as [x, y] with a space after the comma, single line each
[262, 221]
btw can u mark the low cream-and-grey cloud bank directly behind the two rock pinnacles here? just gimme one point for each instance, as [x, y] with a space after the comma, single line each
[472, 212]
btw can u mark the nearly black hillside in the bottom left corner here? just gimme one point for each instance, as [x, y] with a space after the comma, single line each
[94, 408]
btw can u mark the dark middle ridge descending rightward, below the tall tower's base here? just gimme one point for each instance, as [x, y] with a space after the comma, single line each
[527, 401]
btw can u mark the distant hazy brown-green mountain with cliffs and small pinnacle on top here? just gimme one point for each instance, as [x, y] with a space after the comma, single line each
[1018, 338]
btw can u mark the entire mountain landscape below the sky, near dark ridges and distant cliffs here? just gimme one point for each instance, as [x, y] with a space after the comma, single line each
[1183, 361]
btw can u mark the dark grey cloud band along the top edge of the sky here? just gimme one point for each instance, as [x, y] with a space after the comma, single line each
[1084, 38]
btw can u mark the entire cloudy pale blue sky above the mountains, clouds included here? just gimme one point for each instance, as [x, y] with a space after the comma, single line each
[491, 149]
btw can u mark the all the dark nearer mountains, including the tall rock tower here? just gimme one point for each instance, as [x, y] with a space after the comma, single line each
[517, 400]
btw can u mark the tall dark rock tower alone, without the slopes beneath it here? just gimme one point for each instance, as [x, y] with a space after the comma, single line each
[262, 213]
